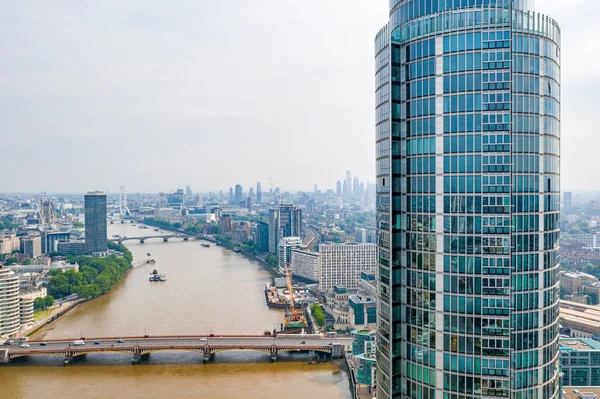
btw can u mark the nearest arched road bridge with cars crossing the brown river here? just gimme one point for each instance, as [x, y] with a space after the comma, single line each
[206, 345]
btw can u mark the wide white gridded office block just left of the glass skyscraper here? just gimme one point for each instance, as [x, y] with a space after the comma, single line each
[342, 264]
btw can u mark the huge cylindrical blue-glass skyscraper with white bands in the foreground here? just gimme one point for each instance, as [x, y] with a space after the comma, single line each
[467, 114]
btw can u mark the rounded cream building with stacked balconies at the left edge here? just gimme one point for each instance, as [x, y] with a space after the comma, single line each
[10, 310]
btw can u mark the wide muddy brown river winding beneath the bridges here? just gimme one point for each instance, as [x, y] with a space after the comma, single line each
[207, 290]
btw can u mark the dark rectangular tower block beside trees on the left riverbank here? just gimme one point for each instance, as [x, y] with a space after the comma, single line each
[95, 222]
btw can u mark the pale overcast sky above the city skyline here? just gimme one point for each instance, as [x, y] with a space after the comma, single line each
[155, 94]
